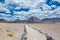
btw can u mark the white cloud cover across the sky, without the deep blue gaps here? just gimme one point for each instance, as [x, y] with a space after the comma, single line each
[34, 11]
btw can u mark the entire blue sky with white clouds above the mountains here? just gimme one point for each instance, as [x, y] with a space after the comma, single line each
[41, 9]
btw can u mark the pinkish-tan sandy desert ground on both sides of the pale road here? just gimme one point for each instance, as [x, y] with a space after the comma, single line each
[17, 30]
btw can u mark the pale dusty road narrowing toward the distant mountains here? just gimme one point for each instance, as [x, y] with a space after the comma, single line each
[33, 34]
